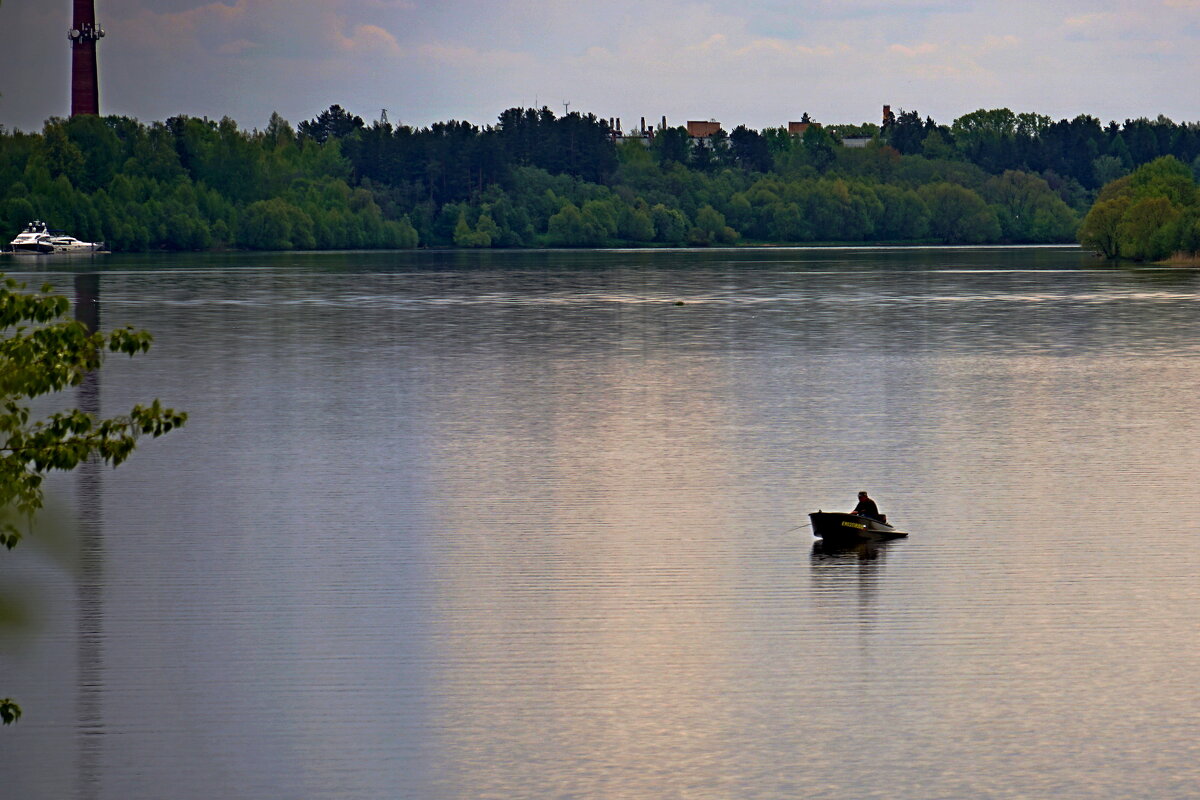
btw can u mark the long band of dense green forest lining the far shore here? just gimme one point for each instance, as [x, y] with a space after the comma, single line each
[536, 179]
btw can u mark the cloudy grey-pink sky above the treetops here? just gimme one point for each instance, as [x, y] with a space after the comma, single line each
[759, 63]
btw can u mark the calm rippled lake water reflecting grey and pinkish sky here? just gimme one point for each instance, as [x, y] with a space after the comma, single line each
[503, 526]
